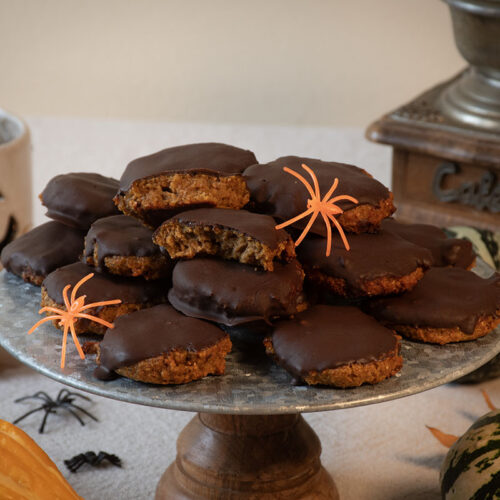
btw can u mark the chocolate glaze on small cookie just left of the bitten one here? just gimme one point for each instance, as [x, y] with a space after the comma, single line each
[119, 235]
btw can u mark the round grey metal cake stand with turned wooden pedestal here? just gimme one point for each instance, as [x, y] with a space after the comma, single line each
[249, 440]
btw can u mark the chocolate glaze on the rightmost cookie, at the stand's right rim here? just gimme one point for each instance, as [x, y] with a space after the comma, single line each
[444, 298]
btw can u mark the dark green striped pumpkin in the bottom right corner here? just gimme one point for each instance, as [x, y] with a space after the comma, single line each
[471, 470]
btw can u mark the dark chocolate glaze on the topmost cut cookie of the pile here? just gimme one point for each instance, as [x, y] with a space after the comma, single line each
[208, 158]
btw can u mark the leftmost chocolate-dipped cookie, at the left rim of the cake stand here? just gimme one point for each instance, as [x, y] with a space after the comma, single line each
[42, 250]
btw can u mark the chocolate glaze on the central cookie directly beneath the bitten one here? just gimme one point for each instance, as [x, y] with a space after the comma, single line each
[232, 294]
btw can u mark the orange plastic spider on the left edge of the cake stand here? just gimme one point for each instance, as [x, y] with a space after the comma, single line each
[74, 310]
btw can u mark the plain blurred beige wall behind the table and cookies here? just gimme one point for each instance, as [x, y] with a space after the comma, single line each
[296, 62]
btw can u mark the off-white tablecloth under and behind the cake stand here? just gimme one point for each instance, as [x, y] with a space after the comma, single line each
[378, 452]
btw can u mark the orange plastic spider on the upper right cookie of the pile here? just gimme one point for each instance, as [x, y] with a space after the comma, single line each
[317, 205]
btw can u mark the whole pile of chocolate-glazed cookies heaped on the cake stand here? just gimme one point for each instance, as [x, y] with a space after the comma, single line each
[198, 230]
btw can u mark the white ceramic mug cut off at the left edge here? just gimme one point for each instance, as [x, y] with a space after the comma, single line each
[15, 178]
